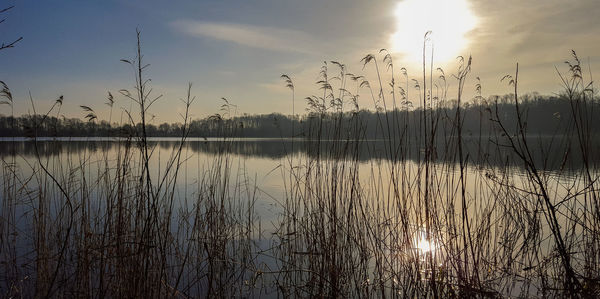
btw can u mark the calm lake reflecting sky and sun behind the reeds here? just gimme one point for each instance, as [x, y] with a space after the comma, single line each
[268, 217]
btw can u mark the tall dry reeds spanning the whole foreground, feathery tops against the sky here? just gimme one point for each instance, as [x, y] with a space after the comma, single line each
[431, 217]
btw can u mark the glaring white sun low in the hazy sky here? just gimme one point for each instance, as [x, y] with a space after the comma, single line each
[448, 20]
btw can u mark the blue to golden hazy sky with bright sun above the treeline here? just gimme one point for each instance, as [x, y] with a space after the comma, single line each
[238, 49]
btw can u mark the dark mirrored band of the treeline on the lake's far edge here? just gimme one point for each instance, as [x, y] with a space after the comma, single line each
[546, 153]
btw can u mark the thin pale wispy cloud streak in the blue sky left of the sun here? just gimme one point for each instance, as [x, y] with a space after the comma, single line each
[261, 37]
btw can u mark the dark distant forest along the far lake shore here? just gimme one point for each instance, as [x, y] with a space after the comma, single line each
[542, 115]
